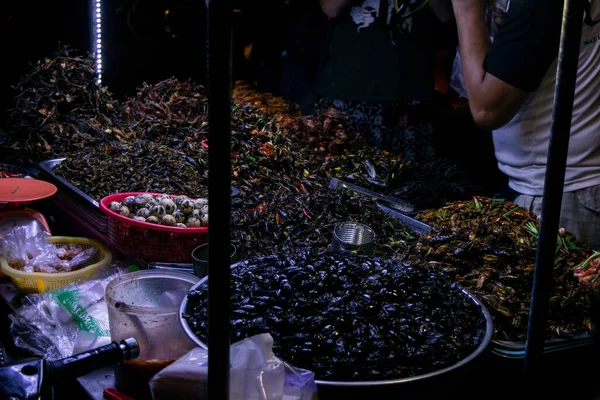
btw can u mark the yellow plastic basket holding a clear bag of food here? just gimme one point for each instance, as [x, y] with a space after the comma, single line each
[39, 282]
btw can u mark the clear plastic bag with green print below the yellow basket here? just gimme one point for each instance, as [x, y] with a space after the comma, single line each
[66, 321]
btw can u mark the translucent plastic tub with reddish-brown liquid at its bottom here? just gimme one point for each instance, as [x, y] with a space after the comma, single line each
[145, 305]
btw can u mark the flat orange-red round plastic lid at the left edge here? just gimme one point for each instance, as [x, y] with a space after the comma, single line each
[23, 191]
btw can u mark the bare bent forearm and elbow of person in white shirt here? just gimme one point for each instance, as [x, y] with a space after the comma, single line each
[493, 102]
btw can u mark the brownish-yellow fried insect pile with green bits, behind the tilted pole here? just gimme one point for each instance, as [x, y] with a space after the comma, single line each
[490, 246]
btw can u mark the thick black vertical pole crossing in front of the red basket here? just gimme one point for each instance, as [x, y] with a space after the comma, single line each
[219, 195]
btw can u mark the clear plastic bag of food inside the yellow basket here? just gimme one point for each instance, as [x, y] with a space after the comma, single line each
[34, 253]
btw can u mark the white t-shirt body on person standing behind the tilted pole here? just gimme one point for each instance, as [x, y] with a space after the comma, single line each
[522, 145]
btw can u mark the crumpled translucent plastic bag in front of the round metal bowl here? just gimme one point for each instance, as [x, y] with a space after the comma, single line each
[256, 374]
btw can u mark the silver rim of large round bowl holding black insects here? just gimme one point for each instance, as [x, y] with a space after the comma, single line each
[479, 351]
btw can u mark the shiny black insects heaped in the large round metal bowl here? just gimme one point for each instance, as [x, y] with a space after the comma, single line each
[350, 318]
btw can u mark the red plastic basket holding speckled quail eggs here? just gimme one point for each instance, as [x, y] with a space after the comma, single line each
[147, 241]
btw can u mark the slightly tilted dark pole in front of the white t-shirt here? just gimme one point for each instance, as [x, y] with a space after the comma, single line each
[566, 76]
